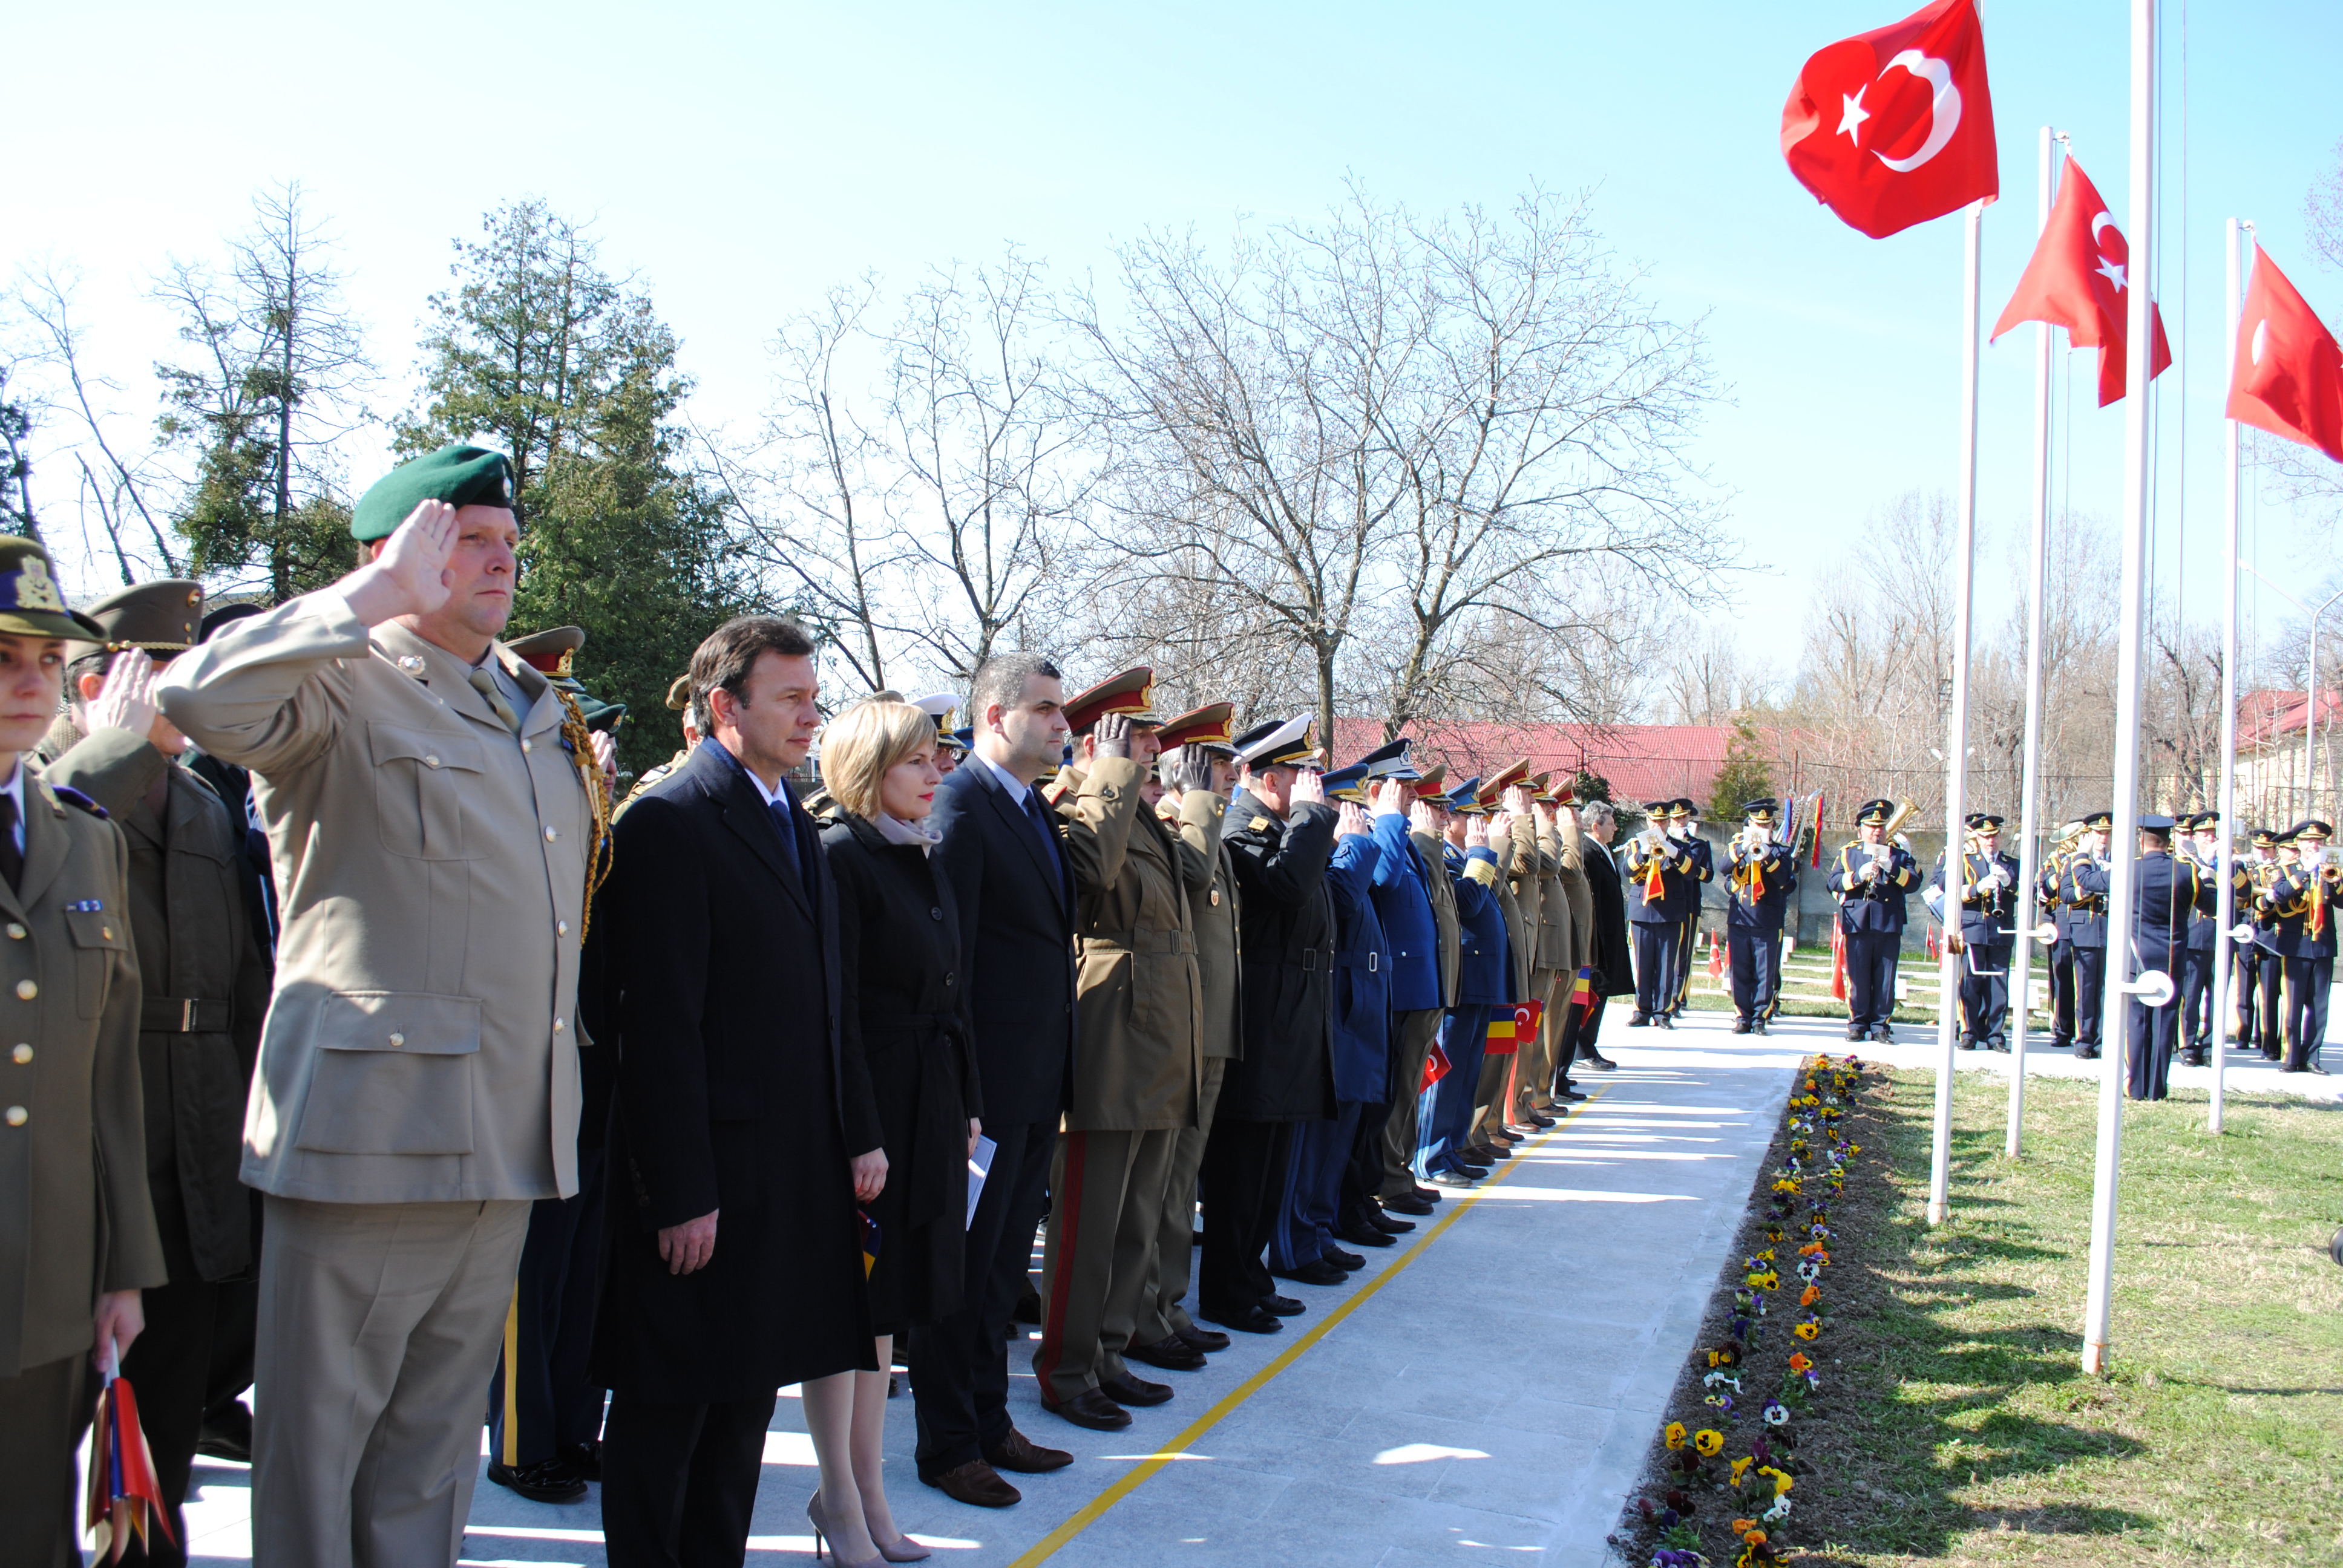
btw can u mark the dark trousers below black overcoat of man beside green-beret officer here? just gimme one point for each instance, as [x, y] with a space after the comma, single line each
[681, 1482]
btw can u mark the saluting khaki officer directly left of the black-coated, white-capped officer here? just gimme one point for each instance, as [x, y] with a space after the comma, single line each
[1198, 761]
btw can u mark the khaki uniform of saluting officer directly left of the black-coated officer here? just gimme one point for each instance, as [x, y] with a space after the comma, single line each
[1213, 908]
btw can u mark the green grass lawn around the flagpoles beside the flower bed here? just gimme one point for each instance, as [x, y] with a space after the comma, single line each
[1958, 1424]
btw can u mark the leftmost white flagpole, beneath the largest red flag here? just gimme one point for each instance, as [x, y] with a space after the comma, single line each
[1948, 1018]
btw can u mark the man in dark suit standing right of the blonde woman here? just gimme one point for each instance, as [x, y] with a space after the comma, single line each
[1011, 873]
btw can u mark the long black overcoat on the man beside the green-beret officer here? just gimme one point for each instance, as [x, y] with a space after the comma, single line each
[735, 1098]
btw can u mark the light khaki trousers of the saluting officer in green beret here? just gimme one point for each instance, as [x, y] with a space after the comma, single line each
[378, 1335]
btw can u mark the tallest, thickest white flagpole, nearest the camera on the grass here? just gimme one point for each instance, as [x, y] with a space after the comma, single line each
[2124, 882]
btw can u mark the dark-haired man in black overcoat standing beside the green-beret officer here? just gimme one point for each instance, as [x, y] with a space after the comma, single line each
[744, 1138]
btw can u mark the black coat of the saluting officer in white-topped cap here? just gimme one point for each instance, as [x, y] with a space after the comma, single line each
[1287, 964]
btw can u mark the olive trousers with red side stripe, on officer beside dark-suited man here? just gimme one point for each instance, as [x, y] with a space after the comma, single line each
[1107, 1201]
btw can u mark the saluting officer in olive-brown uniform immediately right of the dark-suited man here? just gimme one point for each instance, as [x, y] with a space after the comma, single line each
[1135, 1061]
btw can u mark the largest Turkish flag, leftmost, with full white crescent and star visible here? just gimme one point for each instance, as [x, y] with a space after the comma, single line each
[1897, 125]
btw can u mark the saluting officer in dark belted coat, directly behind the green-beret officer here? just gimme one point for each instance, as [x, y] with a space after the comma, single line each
[207, 988]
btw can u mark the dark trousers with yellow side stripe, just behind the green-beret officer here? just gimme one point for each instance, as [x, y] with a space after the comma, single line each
[542, 1398]
